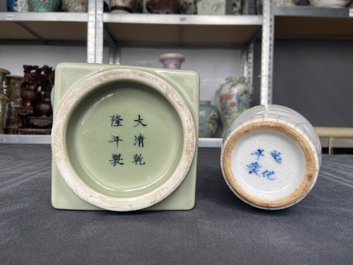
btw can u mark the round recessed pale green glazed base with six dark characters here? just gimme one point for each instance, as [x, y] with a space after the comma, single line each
[91, 144]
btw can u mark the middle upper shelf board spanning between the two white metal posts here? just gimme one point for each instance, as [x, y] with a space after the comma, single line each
[145, 29]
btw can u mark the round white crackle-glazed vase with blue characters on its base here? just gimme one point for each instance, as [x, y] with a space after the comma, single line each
[271, 156]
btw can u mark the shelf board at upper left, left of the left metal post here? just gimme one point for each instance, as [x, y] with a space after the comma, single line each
[43, 27]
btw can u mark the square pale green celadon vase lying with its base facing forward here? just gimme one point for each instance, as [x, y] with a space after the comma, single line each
[124, 138]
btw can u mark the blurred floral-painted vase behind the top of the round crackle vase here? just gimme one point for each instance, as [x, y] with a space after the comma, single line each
[232, 99]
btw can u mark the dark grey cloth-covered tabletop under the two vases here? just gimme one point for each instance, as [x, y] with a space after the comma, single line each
[221, 229]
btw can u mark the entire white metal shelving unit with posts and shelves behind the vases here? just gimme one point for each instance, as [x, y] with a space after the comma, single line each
[96, 29]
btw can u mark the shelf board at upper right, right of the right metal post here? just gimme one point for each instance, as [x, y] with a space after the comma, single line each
[312, 23]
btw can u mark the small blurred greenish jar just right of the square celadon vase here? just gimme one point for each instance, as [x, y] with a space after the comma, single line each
[208, 120]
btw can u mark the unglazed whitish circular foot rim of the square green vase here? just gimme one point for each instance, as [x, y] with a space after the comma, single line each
[67, 169]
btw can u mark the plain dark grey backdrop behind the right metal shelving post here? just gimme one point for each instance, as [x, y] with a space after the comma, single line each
[313, 77]
